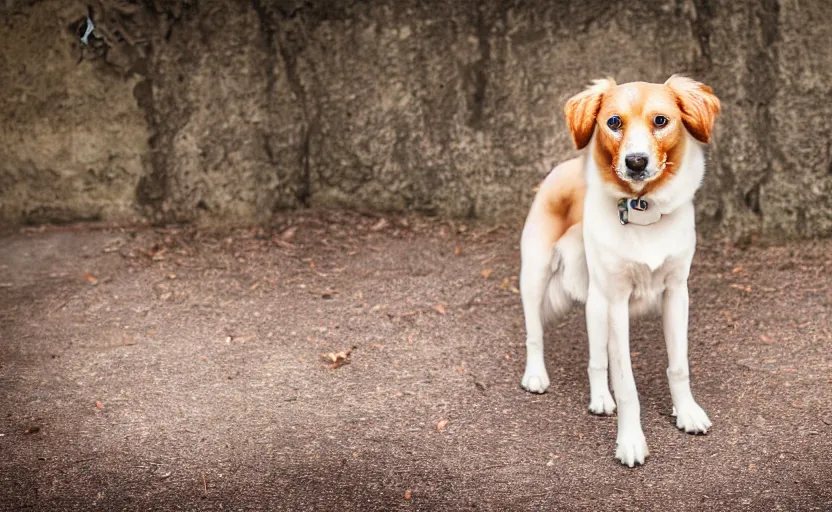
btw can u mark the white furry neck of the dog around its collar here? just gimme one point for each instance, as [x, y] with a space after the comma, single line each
[677, 191]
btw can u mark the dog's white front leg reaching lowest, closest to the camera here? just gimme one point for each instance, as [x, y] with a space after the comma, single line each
[631, 447]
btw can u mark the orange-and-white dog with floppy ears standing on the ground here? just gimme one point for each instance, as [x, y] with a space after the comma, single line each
[614, 229]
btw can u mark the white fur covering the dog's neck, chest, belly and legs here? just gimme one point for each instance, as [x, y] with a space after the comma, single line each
[619, 272]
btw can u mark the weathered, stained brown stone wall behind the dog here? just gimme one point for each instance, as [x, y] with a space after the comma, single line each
[226, 111]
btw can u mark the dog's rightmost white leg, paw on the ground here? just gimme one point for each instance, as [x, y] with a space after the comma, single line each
[689, 415]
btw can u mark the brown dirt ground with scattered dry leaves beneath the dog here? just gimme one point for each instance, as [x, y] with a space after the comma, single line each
[173, 369]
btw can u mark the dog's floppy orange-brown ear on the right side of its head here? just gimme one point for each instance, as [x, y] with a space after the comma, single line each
[698, 104]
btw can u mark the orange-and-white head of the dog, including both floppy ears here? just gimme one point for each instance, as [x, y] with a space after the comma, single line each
[639, 128]
